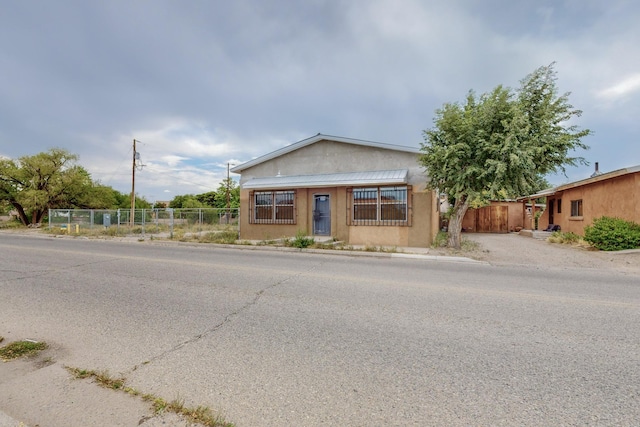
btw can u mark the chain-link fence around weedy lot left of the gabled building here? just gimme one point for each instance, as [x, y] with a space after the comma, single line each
[160, 222]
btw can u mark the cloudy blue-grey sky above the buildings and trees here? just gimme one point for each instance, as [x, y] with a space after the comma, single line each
[206, 83]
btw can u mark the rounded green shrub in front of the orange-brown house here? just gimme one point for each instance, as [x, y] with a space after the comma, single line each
[613, 234]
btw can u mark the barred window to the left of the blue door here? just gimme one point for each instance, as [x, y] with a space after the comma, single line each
[273, 207]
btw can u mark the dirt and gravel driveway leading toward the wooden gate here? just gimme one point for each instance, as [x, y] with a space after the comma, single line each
[512, 248]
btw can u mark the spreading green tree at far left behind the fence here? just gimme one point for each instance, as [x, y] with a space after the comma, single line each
[49, 180]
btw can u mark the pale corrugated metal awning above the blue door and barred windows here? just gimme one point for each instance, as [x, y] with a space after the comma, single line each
[387, 177]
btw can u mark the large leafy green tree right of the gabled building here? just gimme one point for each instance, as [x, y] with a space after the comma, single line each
[500, 143]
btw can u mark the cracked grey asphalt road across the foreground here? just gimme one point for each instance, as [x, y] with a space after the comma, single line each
[273, 338]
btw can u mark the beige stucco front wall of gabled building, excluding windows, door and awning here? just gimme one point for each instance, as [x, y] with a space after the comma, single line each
[335, 157]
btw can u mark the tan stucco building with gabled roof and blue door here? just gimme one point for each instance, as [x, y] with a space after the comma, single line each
[358, 192]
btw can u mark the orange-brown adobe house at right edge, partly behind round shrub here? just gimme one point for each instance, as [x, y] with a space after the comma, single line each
[575, 205]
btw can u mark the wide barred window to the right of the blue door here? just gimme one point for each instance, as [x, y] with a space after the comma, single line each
[380, 206]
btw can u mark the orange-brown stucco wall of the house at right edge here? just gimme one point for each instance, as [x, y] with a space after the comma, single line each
[615, 197]
